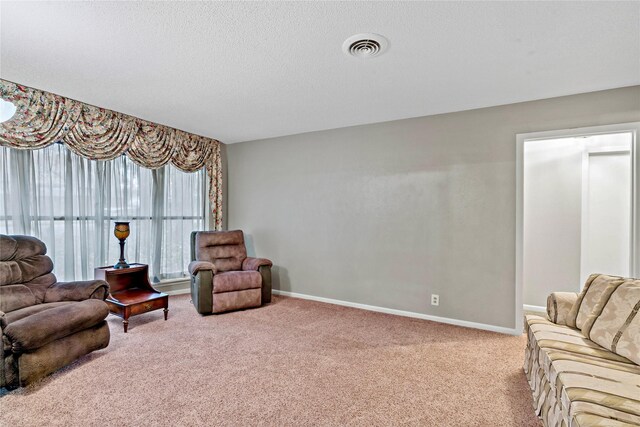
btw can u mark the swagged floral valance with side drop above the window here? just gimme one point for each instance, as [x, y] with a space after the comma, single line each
[42, 118]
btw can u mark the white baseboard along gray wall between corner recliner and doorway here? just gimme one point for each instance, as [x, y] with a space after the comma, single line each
[464, 323]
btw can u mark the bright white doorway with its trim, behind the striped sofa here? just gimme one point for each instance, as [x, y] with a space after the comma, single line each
[576, 209]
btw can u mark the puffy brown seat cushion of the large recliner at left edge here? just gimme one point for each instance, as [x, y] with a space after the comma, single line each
[43, 327]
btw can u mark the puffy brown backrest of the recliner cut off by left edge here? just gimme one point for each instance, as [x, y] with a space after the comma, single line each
[25, 272]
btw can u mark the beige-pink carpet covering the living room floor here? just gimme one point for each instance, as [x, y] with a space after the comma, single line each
[292, 363]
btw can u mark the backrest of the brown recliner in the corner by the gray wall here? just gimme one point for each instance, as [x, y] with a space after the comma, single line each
[224, 249]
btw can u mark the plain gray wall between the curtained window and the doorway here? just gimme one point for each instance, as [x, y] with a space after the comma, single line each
[389, 213]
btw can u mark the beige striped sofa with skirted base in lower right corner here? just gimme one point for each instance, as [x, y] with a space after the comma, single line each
[582, 360]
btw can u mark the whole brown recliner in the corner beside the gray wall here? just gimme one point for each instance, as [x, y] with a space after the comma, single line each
[223, 278]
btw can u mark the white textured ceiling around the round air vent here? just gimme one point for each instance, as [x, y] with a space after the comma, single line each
[242, 71]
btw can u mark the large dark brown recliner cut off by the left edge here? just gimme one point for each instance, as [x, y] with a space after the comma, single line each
[45, 324]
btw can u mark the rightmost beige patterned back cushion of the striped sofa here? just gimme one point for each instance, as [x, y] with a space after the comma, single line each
[617, 327]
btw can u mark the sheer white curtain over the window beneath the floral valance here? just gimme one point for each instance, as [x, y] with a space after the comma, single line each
[70, 203]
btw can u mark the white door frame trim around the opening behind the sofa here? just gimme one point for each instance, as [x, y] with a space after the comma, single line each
[521, 138]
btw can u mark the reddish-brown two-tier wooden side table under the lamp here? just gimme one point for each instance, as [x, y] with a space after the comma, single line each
[130, 292]
